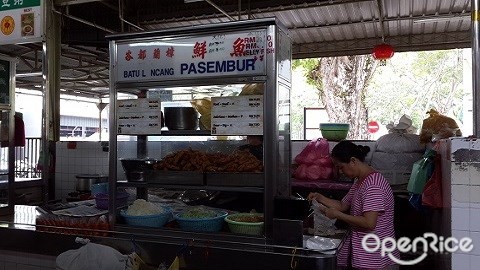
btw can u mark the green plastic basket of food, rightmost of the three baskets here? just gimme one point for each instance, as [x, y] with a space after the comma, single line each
[245, 223]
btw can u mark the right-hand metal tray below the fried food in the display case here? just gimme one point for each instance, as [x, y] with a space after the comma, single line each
[235, 179]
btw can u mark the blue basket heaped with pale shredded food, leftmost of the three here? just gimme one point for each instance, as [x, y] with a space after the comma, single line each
[145, 214]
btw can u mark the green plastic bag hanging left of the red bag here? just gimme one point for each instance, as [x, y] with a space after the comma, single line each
[421, 171]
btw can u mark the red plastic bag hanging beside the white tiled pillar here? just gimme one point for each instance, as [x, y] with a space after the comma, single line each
[432, 193]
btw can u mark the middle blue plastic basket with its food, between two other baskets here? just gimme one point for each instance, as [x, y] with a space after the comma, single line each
[200, 219]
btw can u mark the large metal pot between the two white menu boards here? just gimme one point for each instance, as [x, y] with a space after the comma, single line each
[181, 118]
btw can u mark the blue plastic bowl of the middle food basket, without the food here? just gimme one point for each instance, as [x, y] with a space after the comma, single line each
[213, 224]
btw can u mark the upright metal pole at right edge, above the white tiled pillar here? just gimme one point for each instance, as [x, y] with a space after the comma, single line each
[475, 65]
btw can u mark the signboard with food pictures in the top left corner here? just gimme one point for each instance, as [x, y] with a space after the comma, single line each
[21, 21]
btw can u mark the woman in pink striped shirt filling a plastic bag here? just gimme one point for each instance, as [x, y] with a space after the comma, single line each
[367, 208]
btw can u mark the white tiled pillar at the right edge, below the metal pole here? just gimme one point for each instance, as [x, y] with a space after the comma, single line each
[461, 190]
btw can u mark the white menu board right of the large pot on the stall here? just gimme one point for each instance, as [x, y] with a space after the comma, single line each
[237, 115]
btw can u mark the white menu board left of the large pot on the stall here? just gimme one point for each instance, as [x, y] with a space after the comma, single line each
[139, 116]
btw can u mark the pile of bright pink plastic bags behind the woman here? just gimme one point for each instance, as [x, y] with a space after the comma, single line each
[314, 162]
